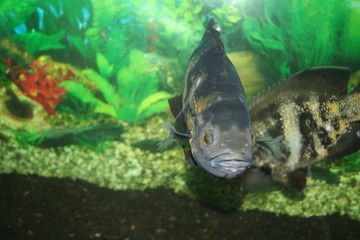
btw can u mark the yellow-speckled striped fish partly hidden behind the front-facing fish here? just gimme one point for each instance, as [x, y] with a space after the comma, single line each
[316, 116]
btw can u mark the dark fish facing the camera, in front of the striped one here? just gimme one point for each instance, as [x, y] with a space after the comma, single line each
[212, 117]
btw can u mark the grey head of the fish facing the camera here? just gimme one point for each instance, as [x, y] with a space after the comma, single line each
[222, 141]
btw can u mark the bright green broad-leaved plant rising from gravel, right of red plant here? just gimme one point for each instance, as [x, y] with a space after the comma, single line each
[135, 97]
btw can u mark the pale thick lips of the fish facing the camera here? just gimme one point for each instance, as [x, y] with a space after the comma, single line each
[230, 161]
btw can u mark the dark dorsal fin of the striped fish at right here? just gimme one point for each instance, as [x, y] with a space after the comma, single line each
[320, 80]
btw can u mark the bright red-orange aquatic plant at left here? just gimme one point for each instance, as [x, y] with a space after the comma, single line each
[41, 83]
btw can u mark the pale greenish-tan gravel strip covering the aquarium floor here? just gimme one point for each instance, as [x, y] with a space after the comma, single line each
[121, 166]
